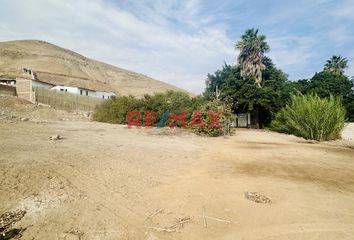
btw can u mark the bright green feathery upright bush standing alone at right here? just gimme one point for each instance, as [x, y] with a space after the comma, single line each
[311, 117]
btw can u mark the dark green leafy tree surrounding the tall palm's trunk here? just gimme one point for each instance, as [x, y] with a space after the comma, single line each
[263, 102]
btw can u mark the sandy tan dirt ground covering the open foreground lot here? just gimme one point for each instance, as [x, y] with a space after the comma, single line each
[103, 181]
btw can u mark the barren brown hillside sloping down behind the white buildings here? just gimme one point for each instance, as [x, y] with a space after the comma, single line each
[60, 66]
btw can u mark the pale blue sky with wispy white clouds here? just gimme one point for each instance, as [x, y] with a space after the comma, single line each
[180, 41]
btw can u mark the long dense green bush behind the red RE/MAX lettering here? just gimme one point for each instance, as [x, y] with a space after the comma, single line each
[116, 110]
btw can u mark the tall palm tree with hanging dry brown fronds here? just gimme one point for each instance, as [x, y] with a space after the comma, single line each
[252, 48]
